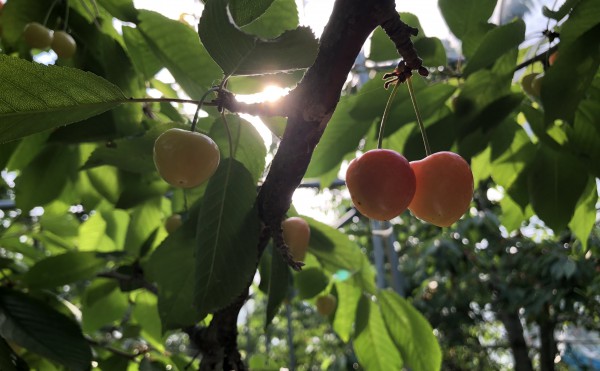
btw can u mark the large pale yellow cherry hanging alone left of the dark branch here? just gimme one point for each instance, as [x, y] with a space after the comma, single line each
[184, 158]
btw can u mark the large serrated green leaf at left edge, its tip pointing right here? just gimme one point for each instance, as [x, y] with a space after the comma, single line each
[45, 97]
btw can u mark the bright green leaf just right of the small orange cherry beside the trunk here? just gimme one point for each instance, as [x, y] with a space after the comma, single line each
[335, 251]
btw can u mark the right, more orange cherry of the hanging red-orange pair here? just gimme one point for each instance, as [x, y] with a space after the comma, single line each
[444, 188]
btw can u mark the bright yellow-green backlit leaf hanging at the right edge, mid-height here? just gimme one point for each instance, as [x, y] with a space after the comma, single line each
[584, 219]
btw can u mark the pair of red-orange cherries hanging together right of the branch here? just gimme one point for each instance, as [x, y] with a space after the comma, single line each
[437, 189]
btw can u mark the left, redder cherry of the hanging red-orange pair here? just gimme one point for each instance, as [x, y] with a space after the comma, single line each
[381, 183]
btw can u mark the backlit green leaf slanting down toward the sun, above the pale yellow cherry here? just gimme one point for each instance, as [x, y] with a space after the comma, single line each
[179, 49]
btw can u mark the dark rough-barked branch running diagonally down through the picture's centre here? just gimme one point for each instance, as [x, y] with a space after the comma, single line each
[308, 108]
